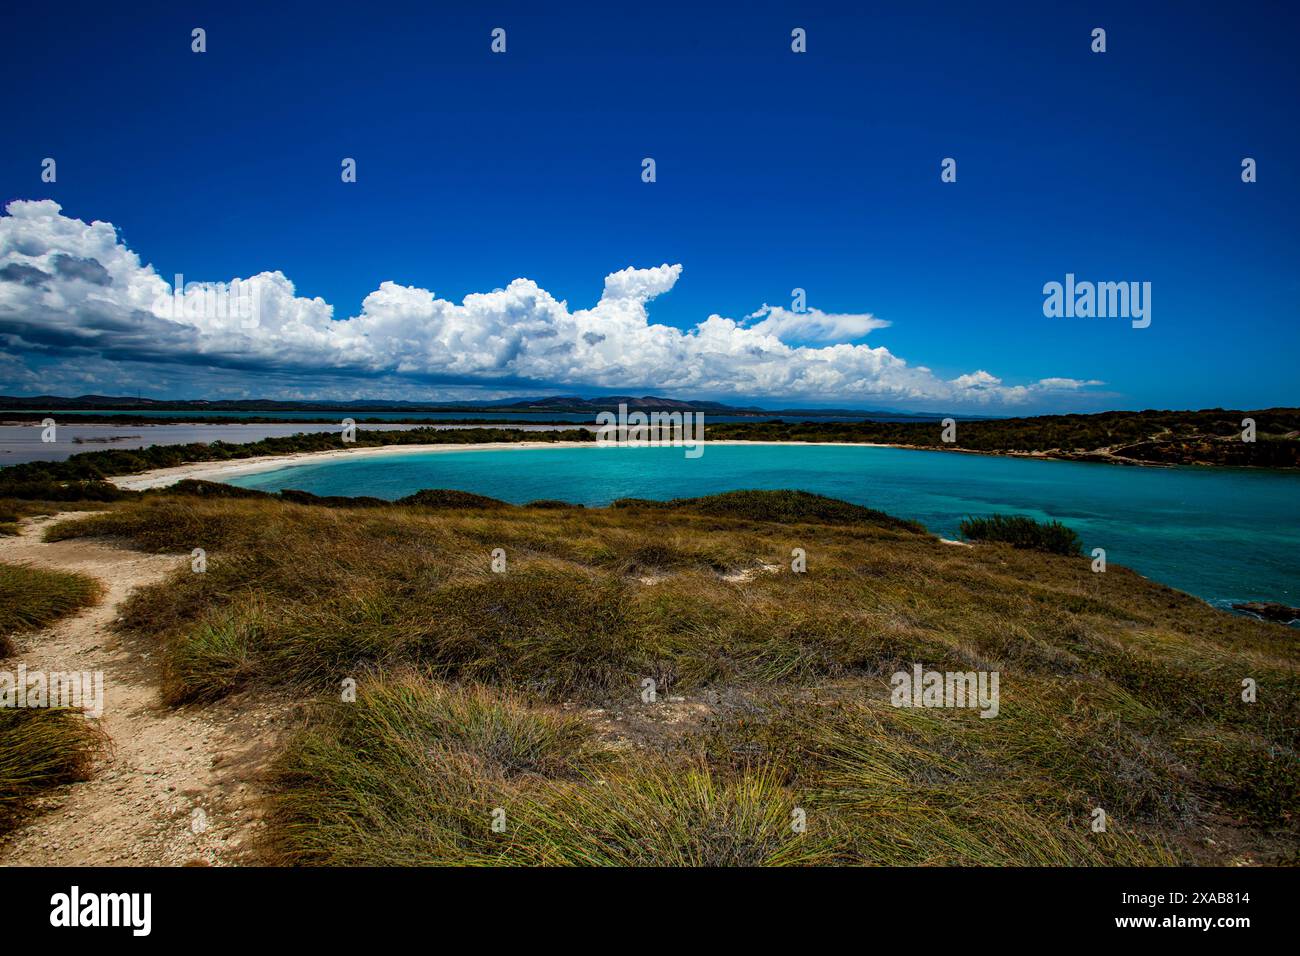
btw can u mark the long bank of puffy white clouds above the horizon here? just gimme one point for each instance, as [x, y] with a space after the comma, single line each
[73, 293]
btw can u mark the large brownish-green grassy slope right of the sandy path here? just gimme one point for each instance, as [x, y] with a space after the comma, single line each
[662, 684]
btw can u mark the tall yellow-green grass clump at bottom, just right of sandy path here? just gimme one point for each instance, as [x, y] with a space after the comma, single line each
[410, 773]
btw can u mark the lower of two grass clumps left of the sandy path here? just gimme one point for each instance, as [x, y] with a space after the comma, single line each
[40, 750]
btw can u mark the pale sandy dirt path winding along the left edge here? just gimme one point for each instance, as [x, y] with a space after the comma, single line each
[180, 786]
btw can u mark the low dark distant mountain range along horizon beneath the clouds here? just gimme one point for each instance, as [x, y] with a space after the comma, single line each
[552, 404]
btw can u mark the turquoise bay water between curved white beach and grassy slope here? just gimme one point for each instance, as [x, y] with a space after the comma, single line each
[1224, 534]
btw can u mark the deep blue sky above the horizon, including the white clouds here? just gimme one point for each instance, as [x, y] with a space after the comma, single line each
[775, 171]
